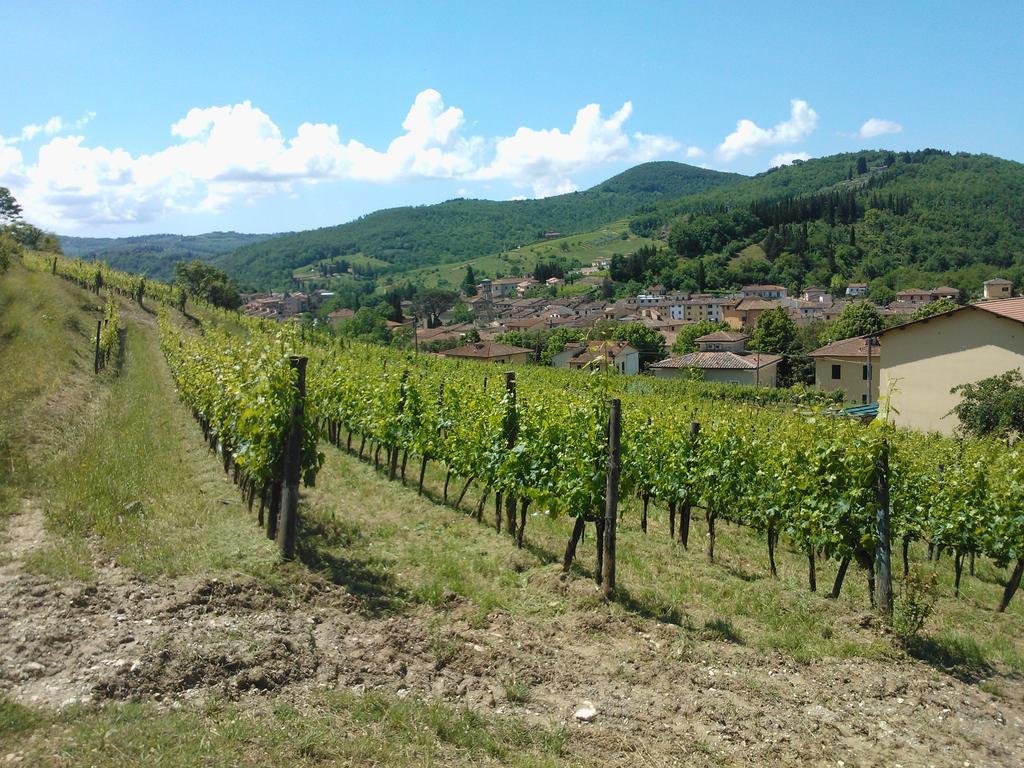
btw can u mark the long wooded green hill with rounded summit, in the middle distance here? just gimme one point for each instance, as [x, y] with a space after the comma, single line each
[459, 230]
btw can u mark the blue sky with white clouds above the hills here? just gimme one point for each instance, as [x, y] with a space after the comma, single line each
[127, 118]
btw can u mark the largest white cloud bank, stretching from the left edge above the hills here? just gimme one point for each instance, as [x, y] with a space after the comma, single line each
[221, 155]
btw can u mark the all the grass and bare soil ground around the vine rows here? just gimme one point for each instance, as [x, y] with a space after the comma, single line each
[406, 633]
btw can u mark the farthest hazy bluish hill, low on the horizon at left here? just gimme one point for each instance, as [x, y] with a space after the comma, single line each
[154, 255]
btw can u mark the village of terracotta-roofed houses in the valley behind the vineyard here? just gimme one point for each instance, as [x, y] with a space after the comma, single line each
[911, 366]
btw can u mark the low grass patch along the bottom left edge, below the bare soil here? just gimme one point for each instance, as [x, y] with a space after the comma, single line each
[327, 729]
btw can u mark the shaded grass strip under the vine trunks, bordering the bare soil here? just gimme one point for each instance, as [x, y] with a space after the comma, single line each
[426, 553]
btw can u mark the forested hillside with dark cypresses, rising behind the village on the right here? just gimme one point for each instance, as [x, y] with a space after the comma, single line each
[893, 221]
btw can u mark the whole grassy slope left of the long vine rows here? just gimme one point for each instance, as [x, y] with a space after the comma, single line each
[89, 465]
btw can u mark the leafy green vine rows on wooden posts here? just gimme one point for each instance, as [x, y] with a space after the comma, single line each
[538, 439]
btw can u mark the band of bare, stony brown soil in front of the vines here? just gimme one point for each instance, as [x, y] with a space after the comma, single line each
[662, 697]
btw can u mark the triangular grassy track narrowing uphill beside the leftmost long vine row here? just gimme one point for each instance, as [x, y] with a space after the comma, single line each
[145, 487]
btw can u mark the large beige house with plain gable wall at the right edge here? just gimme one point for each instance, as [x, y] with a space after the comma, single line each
[923, 361]
